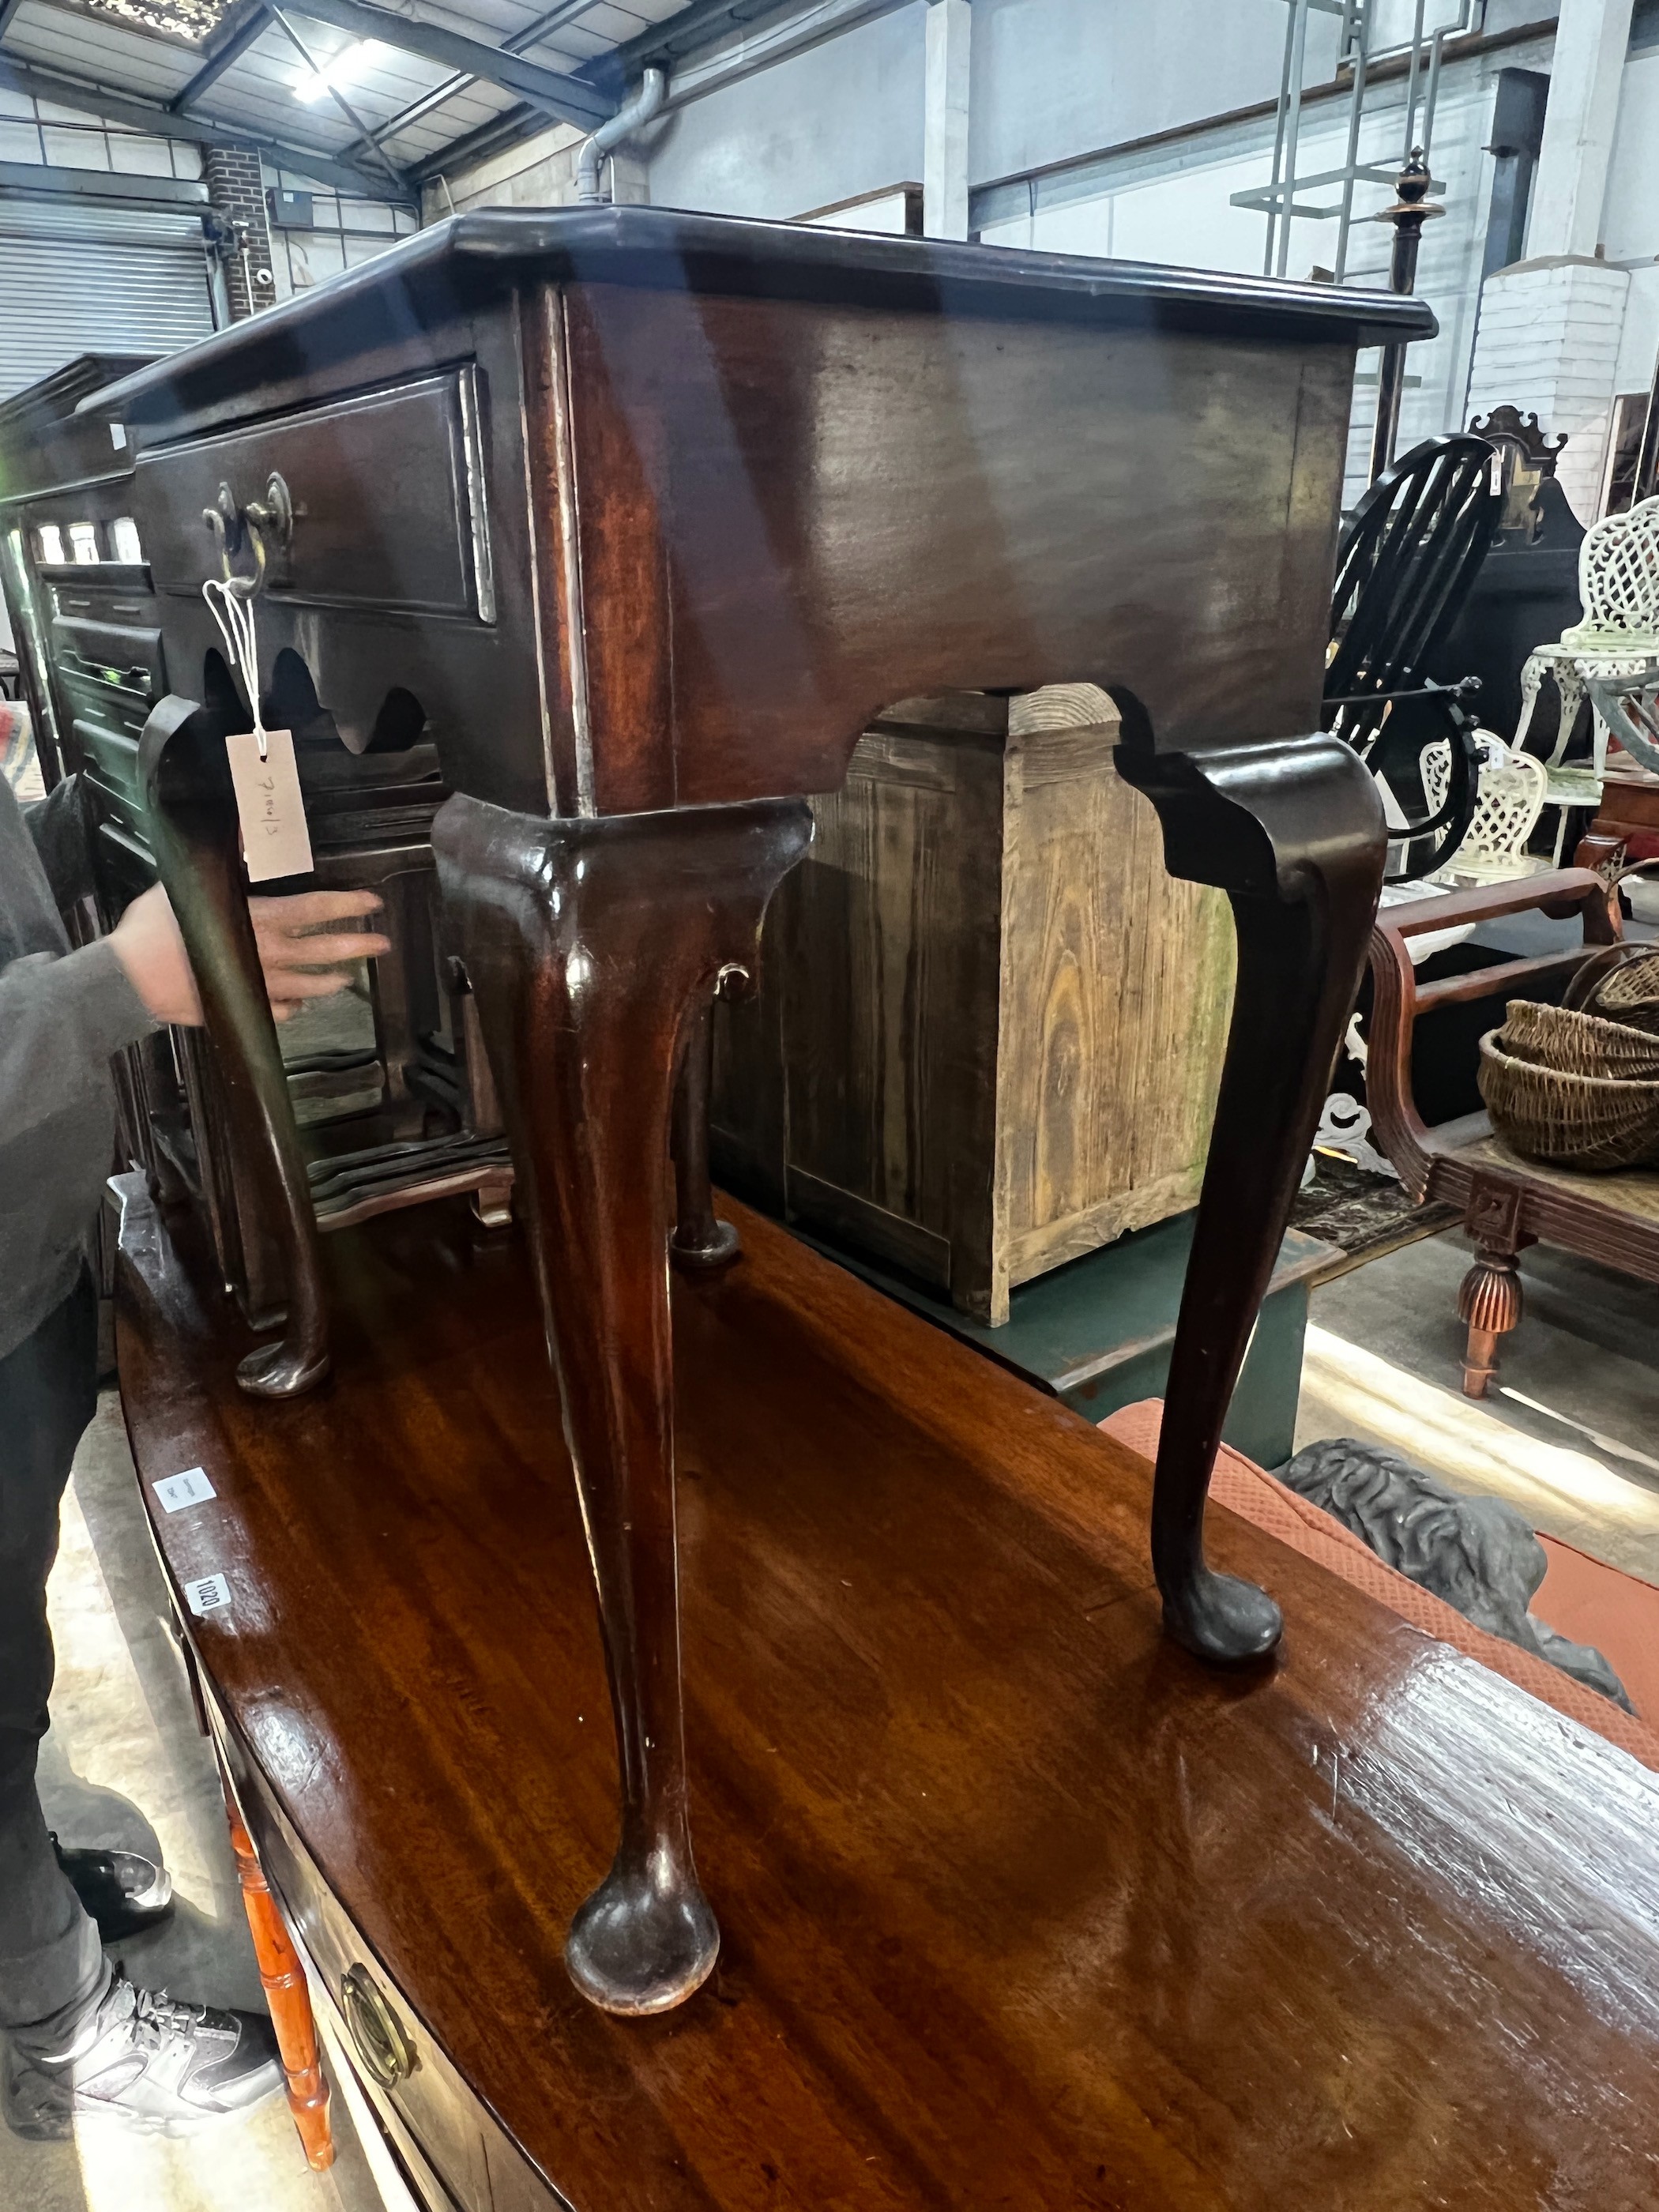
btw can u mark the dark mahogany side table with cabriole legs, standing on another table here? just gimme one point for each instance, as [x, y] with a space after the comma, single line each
[640, 521]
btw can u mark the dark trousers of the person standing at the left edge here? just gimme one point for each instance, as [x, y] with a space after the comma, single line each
[50, 1957]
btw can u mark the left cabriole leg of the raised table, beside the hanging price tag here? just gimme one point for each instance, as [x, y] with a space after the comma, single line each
[194, 833]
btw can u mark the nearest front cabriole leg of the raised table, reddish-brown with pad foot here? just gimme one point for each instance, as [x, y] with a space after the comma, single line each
[589, 943]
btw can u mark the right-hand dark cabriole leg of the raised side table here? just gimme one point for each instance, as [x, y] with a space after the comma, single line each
[1295, 835]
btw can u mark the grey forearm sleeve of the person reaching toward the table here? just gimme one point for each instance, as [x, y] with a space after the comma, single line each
[61, 1019]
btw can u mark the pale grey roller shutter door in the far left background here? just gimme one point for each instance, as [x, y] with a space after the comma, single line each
[85, 280]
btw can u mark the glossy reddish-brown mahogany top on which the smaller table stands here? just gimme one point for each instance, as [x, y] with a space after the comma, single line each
[1021, 1906]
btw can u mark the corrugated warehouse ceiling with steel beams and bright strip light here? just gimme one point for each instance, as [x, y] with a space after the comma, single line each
[348, 92]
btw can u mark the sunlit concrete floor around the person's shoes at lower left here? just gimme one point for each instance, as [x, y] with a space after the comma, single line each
[127, 1766]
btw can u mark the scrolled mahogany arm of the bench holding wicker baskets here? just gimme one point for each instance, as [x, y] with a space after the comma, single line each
[1399, 999]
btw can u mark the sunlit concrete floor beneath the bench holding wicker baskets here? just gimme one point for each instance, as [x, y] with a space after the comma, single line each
[1572, 1426]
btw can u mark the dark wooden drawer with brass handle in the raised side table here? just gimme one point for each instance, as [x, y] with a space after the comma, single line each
[388, 501]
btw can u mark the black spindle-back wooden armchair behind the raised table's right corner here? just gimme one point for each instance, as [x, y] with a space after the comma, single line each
[1406, 570]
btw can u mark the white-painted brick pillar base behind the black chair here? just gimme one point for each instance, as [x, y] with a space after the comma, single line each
[1550, 342]
